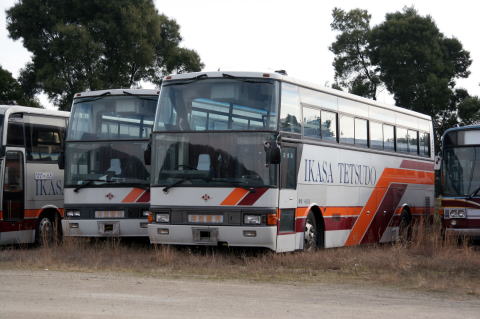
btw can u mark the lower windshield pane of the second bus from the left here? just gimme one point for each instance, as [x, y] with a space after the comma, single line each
[106, 162]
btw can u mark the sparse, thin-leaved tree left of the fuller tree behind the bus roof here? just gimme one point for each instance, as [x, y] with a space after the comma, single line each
[353, 68]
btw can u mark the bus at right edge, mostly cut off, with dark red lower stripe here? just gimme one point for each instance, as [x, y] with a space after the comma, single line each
[459, 189]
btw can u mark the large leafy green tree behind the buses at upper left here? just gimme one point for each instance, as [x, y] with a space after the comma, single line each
[82, 45]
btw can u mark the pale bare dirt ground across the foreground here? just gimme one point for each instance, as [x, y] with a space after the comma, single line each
[52, 294]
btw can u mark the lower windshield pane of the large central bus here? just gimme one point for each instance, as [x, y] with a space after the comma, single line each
[210, 159]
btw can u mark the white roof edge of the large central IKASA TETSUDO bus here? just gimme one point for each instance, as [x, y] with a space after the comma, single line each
[277, 76]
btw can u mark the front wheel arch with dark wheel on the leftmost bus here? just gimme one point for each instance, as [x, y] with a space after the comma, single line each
[48, 227]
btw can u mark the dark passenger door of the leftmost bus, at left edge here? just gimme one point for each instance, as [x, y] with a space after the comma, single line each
[13, 199]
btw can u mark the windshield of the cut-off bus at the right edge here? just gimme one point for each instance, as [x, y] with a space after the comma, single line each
[461, 171]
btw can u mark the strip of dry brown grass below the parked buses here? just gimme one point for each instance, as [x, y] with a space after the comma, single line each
[426, 263]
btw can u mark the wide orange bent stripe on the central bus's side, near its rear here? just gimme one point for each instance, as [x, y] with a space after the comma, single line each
[389, 175]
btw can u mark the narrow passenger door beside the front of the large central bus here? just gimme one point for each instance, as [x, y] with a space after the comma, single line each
[287, 201]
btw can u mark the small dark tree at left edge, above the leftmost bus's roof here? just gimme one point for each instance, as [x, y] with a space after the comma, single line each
[12, 91]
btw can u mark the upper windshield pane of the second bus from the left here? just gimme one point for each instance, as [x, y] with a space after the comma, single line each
[112, 117]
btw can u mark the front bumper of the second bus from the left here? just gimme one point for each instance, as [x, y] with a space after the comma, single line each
[105, 228]
